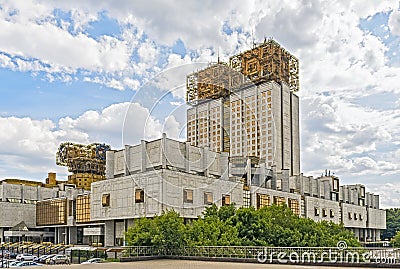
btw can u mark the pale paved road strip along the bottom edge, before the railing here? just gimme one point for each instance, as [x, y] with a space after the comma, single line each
[182, 264]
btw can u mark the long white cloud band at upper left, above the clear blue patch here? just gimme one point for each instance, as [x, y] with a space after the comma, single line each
[55, 46]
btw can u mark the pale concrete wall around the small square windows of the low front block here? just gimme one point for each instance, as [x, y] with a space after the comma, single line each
[163, 190]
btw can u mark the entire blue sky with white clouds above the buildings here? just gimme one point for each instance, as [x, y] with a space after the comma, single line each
[114, 72]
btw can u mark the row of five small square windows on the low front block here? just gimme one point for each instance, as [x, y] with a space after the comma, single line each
[187, 197]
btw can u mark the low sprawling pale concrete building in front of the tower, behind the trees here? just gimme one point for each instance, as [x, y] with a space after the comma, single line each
[145, 179]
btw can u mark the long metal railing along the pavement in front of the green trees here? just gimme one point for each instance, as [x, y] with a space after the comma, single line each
[314, 255]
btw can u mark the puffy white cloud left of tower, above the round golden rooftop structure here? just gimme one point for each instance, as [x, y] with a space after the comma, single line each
[29, 146]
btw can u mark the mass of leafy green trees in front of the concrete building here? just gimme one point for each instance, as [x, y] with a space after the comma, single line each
[226, 226]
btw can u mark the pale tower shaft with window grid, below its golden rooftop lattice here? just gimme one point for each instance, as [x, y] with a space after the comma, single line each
[259, 121]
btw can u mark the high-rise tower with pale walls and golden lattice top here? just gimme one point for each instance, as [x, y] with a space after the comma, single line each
[248, 107]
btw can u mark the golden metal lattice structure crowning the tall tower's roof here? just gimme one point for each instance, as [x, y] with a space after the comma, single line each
[265, 62]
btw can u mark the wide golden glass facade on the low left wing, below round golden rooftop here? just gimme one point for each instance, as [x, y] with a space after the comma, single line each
[51, 212]
